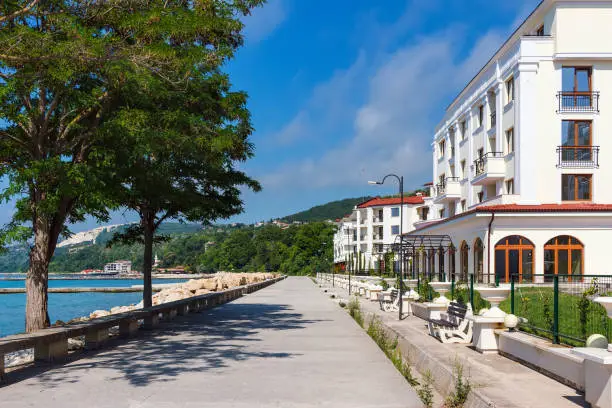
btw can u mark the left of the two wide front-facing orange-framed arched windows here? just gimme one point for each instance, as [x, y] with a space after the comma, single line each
[514, 256]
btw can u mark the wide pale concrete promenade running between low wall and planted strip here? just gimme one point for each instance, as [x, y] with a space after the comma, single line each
[285, 346]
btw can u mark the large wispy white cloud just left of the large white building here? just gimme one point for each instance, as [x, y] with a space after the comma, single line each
[392, 130]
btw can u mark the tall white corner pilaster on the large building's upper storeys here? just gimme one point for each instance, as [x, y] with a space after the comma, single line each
[526, 158]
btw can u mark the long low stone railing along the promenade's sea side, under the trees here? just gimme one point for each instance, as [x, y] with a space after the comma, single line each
[52, 344]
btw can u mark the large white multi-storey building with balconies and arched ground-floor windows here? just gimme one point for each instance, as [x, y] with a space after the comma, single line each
[522, 159]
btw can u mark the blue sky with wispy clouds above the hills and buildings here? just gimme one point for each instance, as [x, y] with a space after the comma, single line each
[346, 91]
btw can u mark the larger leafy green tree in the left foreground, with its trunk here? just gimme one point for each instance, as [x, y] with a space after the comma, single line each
[66, 69]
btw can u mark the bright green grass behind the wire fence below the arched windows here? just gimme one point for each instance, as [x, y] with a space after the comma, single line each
[578, 316]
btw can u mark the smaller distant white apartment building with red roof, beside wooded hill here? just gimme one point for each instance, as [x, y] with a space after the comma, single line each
[368, 231]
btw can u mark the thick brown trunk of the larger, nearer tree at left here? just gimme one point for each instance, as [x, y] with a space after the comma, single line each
[37, 313]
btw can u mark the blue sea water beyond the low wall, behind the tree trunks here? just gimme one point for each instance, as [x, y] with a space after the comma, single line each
[66, 306]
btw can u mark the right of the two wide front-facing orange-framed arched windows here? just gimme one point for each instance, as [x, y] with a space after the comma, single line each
[563, 255]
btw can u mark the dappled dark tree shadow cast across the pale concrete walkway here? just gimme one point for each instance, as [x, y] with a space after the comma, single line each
[194, 343]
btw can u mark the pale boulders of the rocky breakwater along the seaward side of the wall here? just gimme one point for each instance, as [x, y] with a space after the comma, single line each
[194, 287]
